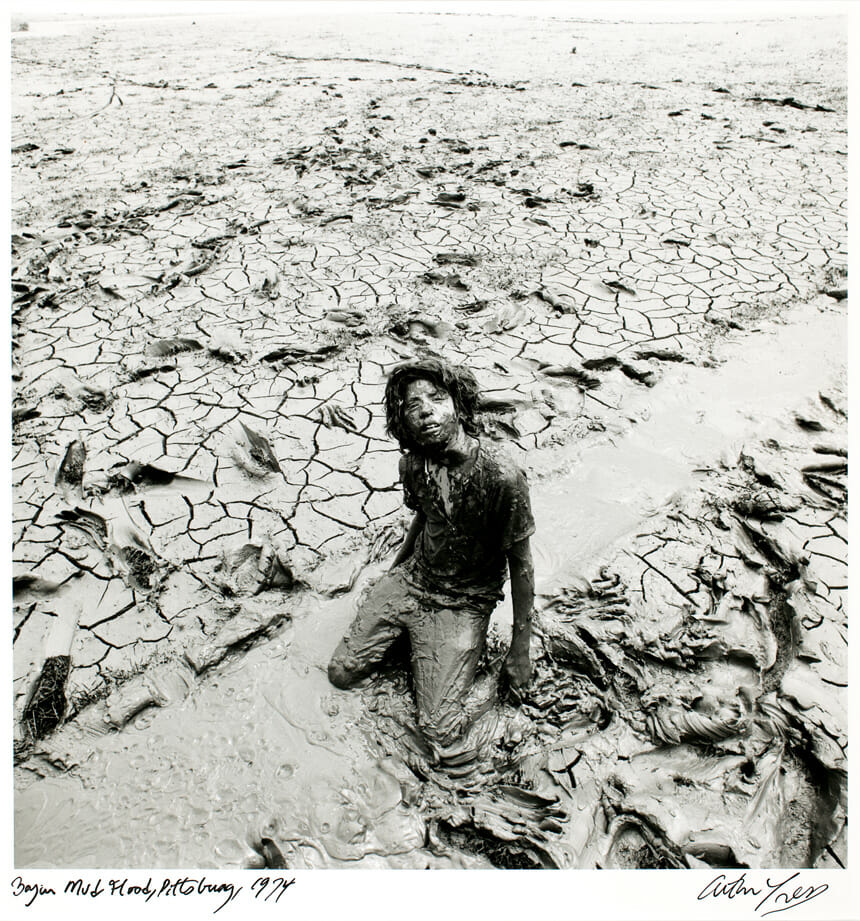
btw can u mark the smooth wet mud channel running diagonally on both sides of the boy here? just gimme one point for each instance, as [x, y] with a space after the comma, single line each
[263, 747]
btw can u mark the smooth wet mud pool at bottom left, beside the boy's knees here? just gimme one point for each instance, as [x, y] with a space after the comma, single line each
[262, 751]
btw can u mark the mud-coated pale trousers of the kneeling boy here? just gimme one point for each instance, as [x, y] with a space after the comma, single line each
[446, 644]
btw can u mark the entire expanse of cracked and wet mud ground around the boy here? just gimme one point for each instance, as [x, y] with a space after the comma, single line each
[639, 248]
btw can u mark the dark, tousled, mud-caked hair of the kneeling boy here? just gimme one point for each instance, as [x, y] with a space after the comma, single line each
[459, 382]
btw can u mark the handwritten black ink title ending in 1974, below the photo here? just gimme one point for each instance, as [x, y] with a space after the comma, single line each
[264, 889]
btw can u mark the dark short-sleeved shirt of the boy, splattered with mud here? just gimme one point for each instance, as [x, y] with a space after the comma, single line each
[473, 515]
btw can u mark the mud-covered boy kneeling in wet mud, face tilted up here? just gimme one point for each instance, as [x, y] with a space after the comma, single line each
[472, 523]
